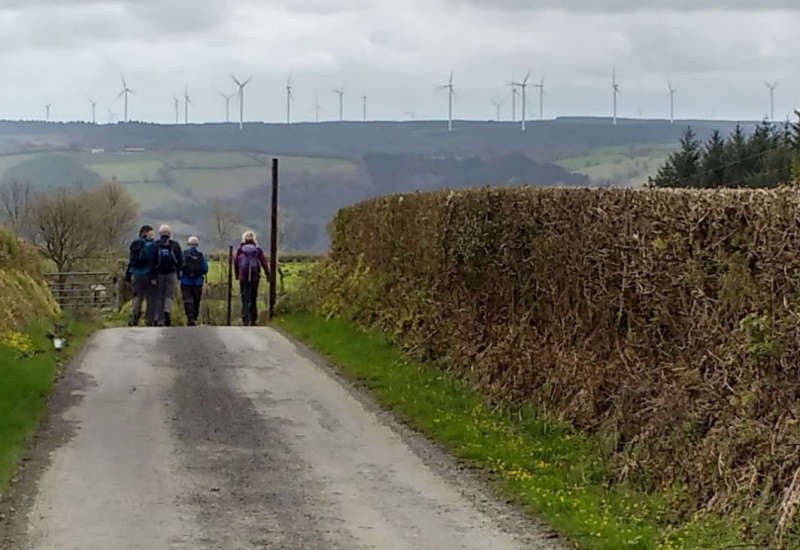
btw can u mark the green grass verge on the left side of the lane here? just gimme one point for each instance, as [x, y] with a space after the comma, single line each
[28, 367]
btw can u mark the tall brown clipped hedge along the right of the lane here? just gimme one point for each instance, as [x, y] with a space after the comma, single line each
[668, 322]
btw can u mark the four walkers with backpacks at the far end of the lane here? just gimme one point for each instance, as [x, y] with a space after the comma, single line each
[155, 267]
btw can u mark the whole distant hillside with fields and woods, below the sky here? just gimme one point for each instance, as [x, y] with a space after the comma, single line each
[175, 172]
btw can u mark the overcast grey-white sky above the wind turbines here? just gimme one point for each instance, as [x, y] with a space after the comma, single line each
[718, 54]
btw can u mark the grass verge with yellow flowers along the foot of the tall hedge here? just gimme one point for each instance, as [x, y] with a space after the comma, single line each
[548, 468]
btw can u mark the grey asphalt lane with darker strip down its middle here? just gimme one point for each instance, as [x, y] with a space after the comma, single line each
[237, 439]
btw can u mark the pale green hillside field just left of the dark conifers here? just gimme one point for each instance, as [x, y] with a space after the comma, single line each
[623, 166]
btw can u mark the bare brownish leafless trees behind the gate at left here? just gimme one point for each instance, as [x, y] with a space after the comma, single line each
[72, 227]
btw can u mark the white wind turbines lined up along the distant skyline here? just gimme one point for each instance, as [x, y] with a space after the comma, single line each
[519, 90]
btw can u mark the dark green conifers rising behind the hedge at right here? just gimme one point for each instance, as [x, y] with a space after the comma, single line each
[767, 157]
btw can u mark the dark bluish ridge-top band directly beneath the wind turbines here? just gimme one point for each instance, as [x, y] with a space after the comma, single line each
[545, 139]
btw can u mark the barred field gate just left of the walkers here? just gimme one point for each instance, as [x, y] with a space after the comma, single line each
[89, 290]
